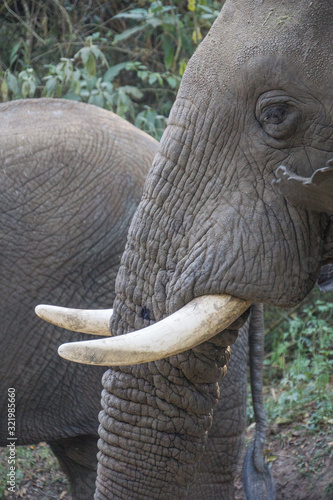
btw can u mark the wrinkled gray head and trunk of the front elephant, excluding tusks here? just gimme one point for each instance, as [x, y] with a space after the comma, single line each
[256, 95]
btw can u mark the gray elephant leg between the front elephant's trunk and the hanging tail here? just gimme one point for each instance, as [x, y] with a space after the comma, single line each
[216, 471]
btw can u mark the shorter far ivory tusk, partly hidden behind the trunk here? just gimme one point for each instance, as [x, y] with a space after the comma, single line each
[96, 322]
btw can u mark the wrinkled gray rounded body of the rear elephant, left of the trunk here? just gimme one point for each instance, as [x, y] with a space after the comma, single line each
[71, 178]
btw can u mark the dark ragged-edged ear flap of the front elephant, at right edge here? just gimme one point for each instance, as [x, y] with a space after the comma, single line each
[313, 193]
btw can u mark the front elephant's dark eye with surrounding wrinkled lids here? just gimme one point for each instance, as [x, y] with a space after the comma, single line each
[278, 114]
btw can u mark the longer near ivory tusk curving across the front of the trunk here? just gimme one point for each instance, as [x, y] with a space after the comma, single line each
[198, 321]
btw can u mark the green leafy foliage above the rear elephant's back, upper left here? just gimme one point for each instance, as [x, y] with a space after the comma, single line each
[129, 61]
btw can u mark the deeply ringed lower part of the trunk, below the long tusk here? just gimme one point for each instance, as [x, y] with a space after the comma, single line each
[154, 423]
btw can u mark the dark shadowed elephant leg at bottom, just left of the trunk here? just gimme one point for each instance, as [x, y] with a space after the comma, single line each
[77, 458]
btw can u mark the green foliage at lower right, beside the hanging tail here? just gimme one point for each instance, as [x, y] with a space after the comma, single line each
[299, 365]
